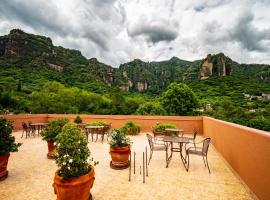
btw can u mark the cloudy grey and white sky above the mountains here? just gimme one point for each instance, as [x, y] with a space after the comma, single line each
[118, 31]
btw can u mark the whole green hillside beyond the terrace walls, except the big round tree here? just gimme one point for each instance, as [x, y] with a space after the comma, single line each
[38, 77]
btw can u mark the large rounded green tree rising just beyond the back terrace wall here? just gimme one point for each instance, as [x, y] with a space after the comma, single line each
[179, 99]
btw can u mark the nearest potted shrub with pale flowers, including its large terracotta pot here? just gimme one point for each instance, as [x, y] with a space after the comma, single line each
[75, 176]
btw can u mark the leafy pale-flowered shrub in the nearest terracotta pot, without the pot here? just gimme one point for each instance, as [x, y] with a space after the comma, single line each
[72, 154]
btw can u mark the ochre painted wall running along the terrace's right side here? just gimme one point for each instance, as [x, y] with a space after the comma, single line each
[247, 150]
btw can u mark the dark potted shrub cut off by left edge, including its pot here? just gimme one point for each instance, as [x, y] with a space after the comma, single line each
[7, 145]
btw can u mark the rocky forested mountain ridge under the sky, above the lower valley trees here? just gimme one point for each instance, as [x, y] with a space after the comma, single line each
[34, 60]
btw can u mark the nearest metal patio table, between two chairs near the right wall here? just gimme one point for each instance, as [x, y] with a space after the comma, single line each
[169, 141]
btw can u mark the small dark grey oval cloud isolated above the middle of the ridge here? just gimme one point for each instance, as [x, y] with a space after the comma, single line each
[155, 33]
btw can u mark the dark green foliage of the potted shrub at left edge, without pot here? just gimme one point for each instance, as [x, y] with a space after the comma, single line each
[7, 141]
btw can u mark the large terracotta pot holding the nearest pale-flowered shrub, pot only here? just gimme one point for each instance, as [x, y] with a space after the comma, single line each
[75, 188]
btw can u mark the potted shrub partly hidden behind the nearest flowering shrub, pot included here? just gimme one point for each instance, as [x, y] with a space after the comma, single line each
[50, 132]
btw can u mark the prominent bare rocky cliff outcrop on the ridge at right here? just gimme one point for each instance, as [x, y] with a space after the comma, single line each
[218, 64]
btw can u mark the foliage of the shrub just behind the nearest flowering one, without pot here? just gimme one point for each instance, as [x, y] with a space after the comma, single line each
[54, 127]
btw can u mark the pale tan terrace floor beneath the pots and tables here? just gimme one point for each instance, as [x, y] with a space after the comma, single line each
[31, 176]
